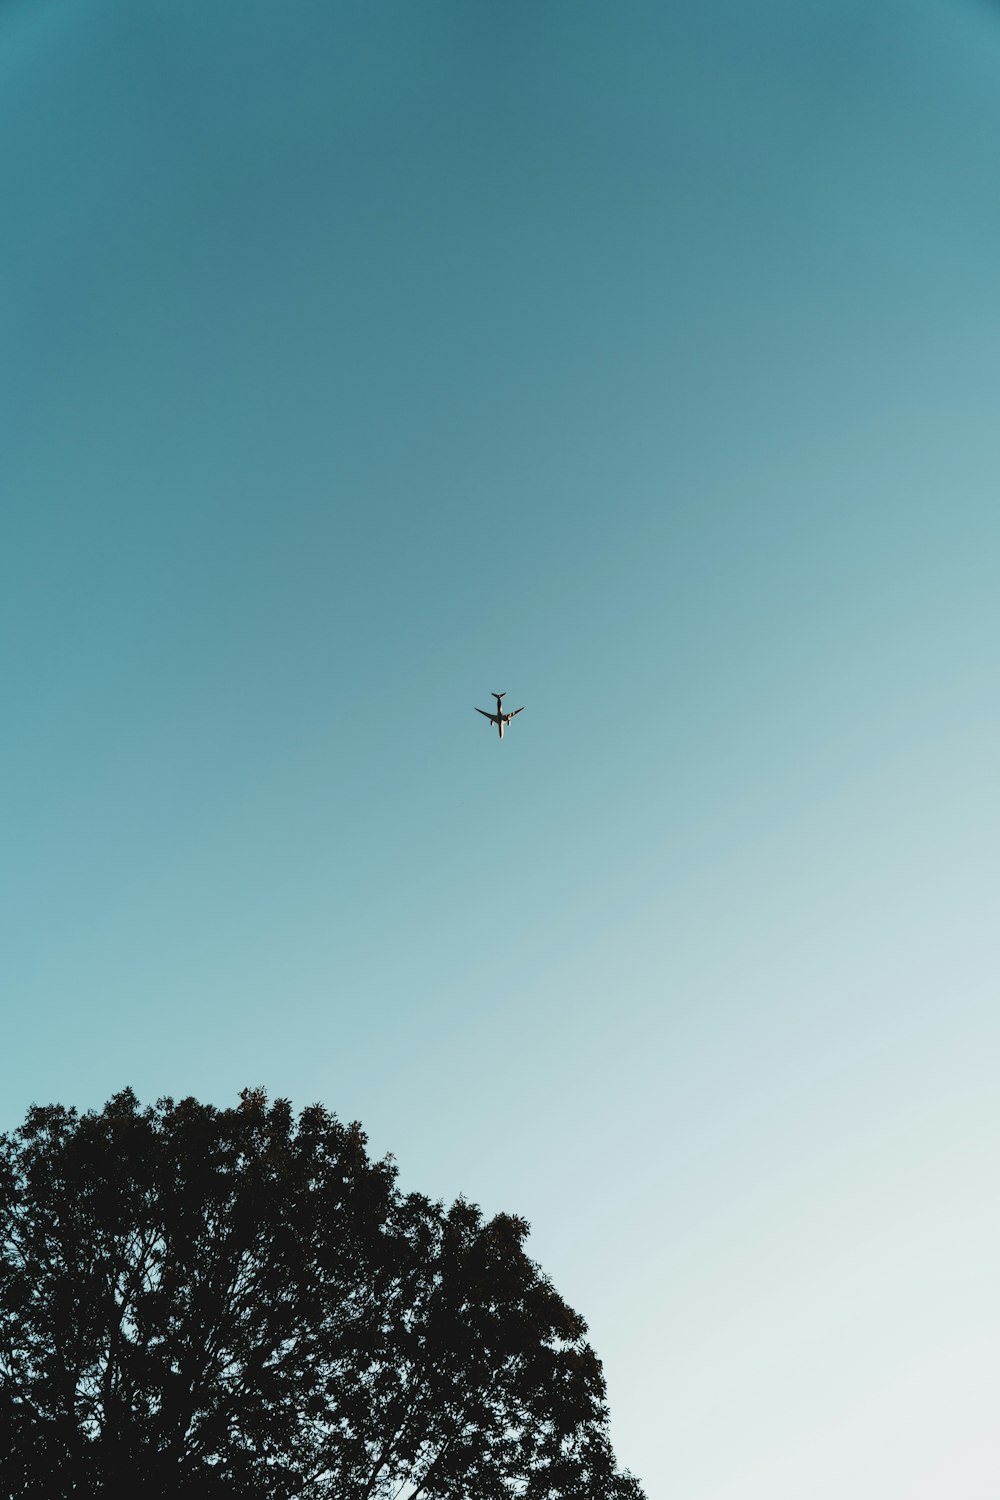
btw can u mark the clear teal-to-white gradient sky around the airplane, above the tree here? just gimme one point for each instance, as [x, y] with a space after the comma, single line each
[641, 362]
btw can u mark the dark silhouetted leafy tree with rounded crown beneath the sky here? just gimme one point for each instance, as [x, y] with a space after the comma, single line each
[202, 1303]
